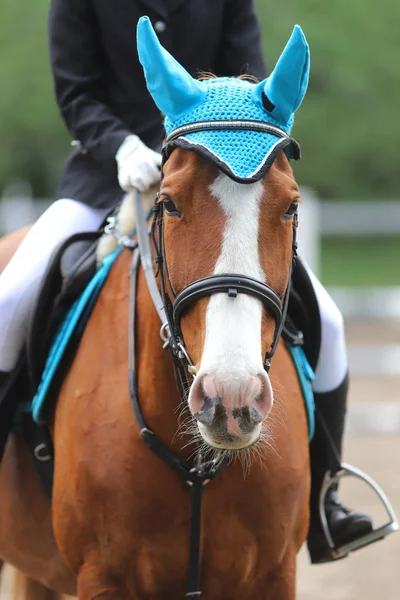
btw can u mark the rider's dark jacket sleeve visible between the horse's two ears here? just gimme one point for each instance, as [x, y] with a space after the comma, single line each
[240, 49]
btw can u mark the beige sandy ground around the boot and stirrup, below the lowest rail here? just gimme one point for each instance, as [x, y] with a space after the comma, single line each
[373, 572]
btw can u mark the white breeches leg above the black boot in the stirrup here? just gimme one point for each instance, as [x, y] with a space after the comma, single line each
[332, 363]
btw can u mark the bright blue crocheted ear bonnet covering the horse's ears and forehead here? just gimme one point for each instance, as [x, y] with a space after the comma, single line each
[243, 154]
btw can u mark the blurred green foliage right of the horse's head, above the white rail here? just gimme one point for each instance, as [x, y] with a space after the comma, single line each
[348, 125]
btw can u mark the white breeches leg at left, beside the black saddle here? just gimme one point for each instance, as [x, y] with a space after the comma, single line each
[21, 279]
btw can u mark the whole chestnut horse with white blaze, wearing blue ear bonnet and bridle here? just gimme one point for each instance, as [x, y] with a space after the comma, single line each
[119, 523]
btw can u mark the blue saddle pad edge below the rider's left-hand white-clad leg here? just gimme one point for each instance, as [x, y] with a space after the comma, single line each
[75, 319]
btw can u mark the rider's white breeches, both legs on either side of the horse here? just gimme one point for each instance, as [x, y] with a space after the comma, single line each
[21, 279]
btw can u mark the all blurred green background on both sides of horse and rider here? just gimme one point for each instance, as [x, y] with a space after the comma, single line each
[347, 125]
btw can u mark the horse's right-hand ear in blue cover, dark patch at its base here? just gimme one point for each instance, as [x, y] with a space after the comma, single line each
[283, 92]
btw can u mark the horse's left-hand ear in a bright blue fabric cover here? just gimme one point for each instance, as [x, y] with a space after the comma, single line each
[173, 90]
